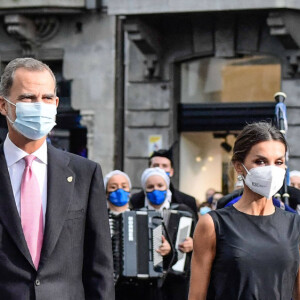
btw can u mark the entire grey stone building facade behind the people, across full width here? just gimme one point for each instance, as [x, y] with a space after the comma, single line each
[187, 73]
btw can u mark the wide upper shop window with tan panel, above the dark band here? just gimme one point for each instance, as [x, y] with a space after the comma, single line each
[249, 79]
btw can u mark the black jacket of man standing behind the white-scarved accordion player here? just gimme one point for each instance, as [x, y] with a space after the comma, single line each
[138, 200]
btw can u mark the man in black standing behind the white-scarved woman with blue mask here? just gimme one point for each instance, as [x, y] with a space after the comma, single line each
[176, 284]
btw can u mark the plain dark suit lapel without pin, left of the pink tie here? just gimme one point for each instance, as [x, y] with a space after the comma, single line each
[9, 215]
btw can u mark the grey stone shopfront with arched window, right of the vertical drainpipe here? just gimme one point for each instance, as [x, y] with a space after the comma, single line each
[161, 38]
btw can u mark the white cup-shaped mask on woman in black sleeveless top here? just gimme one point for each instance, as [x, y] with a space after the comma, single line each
[265, 181]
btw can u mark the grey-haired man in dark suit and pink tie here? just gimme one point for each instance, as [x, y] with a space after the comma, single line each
[71, 258]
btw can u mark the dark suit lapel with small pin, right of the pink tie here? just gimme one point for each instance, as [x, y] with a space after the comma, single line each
[59, 192]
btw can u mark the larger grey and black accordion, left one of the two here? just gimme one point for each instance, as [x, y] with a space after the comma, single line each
[135, 236]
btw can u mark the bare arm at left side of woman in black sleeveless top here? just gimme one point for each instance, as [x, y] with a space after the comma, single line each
[203, 256]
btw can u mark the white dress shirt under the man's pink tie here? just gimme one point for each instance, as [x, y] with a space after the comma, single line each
[16, 165]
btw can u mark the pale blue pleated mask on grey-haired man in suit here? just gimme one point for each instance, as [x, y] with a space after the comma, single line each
[34, 120]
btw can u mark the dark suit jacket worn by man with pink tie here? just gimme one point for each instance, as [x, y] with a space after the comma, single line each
[76, 259]
